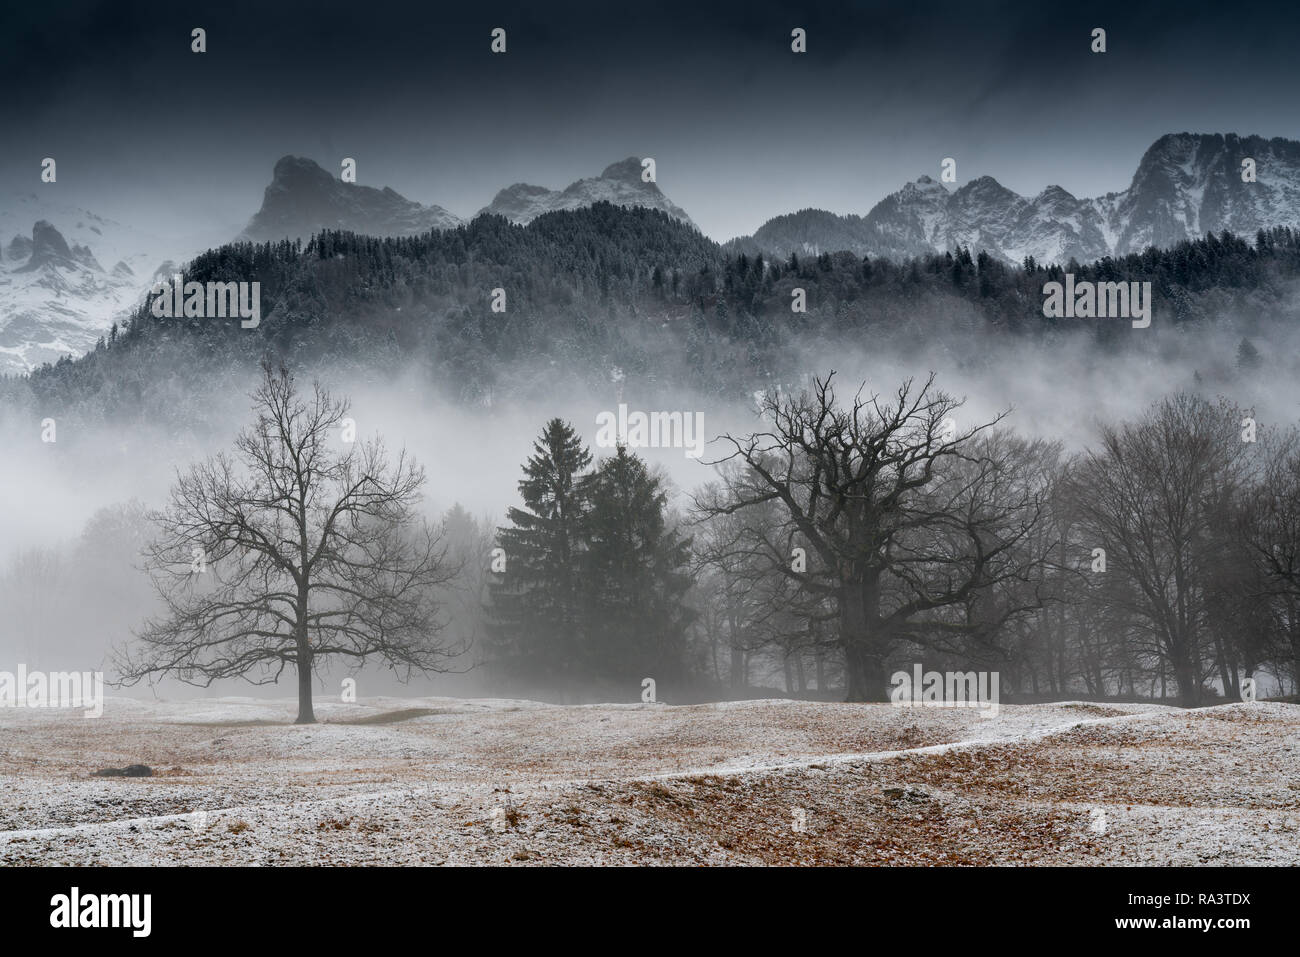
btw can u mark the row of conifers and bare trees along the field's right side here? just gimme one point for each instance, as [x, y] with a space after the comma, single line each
[859, 535]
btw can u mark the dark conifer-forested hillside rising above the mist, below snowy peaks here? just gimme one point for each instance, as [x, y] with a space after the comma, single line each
[610, 288]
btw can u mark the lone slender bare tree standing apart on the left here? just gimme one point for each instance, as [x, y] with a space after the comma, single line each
[296, 549]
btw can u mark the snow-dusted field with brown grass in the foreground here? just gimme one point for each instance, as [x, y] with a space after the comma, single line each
[444, 781]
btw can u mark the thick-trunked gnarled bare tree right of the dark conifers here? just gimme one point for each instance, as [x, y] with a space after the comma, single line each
[903, 516]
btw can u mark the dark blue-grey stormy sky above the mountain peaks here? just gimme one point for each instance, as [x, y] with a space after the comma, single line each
[742, 129]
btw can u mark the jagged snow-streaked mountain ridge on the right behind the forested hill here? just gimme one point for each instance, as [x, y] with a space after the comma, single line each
[1185, 187]
